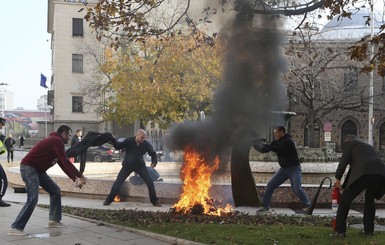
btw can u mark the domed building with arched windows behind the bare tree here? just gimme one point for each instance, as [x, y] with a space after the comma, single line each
[332, 127]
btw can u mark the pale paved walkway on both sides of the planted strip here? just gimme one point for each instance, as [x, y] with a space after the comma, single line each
[86, 232]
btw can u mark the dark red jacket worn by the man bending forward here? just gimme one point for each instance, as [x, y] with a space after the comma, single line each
[42, 156]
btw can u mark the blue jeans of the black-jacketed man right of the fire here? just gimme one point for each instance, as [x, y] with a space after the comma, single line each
[283, 174]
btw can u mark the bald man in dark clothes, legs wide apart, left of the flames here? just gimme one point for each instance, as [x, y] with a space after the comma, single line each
[135, 148]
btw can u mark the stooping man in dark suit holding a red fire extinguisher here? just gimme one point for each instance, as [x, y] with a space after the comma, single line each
[366, 172]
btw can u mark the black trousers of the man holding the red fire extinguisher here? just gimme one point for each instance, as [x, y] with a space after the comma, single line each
[372, 185]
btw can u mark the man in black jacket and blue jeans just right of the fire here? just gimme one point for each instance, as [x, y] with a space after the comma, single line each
[288, 160]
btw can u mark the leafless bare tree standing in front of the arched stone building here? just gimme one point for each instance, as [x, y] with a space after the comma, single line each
[322, 79]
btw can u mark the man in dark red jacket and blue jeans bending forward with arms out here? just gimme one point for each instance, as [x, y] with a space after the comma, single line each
[33, 167]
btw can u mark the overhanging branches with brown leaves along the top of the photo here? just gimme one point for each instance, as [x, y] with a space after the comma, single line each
[122, 21]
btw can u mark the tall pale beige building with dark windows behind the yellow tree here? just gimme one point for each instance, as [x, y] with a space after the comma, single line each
[74, 48]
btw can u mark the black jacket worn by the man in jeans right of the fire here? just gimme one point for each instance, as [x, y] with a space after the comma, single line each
[285, 149]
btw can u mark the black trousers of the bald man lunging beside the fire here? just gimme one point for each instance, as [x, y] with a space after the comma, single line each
[126, 170]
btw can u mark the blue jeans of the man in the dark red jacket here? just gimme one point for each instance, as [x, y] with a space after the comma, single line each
[32, 180]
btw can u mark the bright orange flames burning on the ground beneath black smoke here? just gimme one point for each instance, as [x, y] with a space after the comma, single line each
[196, 176]
